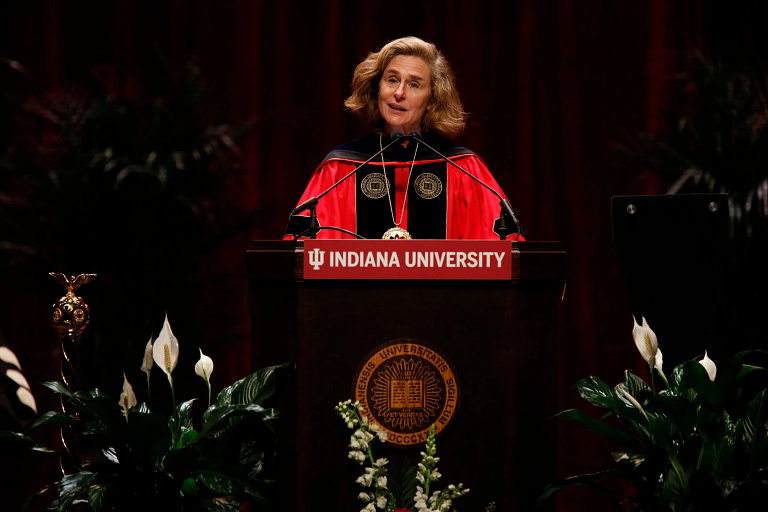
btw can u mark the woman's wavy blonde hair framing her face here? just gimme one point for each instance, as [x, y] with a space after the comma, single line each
[445, 114]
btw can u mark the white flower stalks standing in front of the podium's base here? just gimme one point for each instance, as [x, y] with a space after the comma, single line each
[405, 487]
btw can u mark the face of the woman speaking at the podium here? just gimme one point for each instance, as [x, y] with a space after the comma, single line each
[404, 92]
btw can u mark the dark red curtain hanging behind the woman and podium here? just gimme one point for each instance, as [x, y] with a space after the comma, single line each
[547, 84]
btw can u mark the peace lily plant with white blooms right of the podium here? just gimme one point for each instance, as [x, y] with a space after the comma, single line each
[698, 444]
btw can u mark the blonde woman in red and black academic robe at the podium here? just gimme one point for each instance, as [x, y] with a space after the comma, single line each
[409, 191]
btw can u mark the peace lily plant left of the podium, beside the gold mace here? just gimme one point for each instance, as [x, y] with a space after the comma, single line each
[164, 462]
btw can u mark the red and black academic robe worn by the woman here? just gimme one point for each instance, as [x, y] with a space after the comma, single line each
[442, 202]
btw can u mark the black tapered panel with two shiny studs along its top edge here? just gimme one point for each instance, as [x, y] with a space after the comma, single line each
[671, 250]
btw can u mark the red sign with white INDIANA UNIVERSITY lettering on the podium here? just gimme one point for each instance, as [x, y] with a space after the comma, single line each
[407, 259]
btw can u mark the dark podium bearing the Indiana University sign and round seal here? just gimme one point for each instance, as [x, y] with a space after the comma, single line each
[498, 335]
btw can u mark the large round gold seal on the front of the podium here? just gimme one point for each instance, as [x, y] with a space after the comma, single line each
[405, 387]
